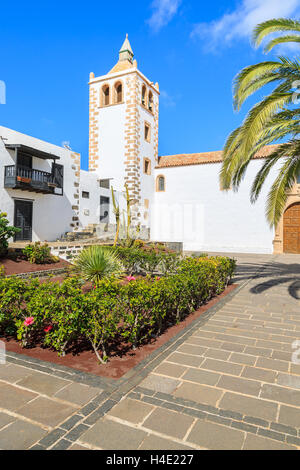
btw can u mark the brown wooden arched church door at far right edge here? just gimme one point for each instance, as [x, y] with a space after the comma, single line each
[291, 229]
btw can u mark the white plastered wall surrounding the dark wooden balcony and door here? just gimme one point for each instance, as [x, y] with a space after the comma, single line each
[52, 214]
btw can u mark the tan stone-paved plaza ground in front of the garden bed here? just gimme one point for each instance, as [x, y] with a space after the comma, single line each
[229, 381]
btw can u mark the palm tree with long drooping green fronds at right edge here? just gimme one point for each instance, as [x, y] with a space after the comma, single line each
[274, 118]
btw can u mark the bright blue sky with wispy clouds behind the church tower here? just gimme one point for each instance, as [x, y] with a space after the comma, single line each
[193, 48]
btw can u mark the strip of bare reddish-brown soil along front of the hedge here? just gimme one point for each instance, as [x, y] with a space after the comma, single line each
[123, 358]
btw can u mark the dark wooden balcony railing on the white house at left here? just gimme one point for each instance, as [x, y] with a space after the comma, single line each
[19, 177]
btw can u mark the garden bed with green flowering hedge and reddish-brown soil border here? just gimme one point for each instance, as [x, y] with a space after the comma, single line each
[109, 325]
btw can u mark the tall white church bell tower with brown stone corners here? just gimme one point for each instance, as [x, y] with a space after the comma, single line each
[123, 130]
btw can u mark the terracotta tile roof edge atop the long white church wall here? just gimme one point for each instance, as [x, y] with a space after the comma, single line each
[203, 158]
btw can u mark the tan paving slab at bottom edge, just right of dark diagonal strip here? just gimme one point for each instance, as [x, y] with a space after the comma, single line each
[109, 435]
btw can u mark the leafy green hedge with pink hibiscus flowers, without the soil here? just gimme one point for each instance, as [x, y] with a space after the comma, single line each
[58, 315]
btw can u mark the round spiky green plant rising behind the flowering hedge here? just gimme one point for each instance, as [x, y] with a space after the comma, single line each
[97, 263]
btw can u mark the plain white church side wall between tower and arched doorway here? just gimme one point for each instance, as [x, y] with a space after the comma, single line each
[194, 210]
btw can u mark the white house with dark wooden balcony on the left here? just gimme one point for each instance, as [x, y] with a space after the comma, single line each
[39, 187]
